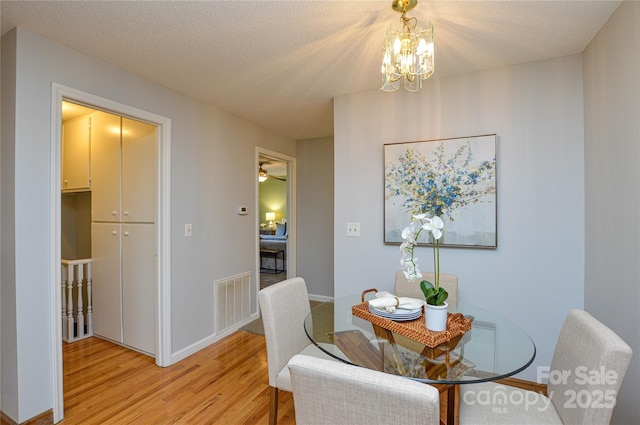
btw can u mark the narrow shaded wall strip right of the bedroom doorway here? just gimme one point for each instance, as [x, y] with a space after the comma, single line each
[315, 215]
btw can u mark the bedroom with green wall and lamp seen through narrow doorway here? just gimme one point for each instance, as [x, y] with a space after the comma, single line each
[274, 216]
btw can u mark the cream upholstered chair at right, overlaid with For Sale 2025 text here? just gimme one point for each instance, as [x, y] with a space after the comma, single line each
[588, 365]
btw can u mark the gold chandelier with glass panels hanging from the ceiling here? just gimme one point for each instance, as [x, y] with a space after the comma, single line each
[408, 53]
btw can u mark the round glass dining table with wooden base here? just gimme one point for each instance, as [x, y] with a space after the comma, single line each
[493, 349]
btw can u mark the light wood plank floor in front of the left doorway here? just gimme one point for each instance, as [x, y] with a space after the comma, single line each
[226, 383]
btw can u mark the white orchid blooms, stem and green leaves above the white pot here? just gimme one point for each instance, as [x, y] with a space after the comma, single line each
[434, 294]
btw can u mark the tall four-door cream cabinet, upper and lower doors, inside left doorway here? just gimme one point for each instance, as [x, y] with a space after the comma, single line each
[124, 176]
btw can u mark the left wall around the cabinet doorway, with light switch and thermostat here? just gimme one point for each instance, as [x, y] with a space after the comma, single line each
[213, 172]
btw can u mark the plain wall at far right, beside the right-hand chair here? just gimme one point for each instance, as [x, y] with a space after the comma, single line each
[612, 166]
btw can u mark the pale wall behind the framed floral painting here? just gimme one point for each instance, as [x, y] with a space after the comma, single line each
[537, 272]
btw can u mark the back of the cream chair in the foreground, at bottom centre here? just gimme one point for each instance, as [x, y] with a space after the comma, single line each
[333, 393]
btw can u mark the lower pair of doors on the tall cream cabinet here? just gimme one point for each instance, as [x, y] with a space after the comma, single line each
[124, 283]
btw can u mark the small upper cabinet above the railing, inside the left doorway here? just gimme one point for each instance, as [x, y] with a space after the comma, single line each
[76, 155]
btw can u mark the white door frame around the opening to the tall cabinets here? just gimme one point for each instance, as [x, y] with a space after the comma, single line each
[163, 265]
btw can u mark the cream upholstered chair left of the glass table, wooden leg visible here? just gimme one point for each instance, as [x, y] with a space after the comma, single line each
[284, 306]
